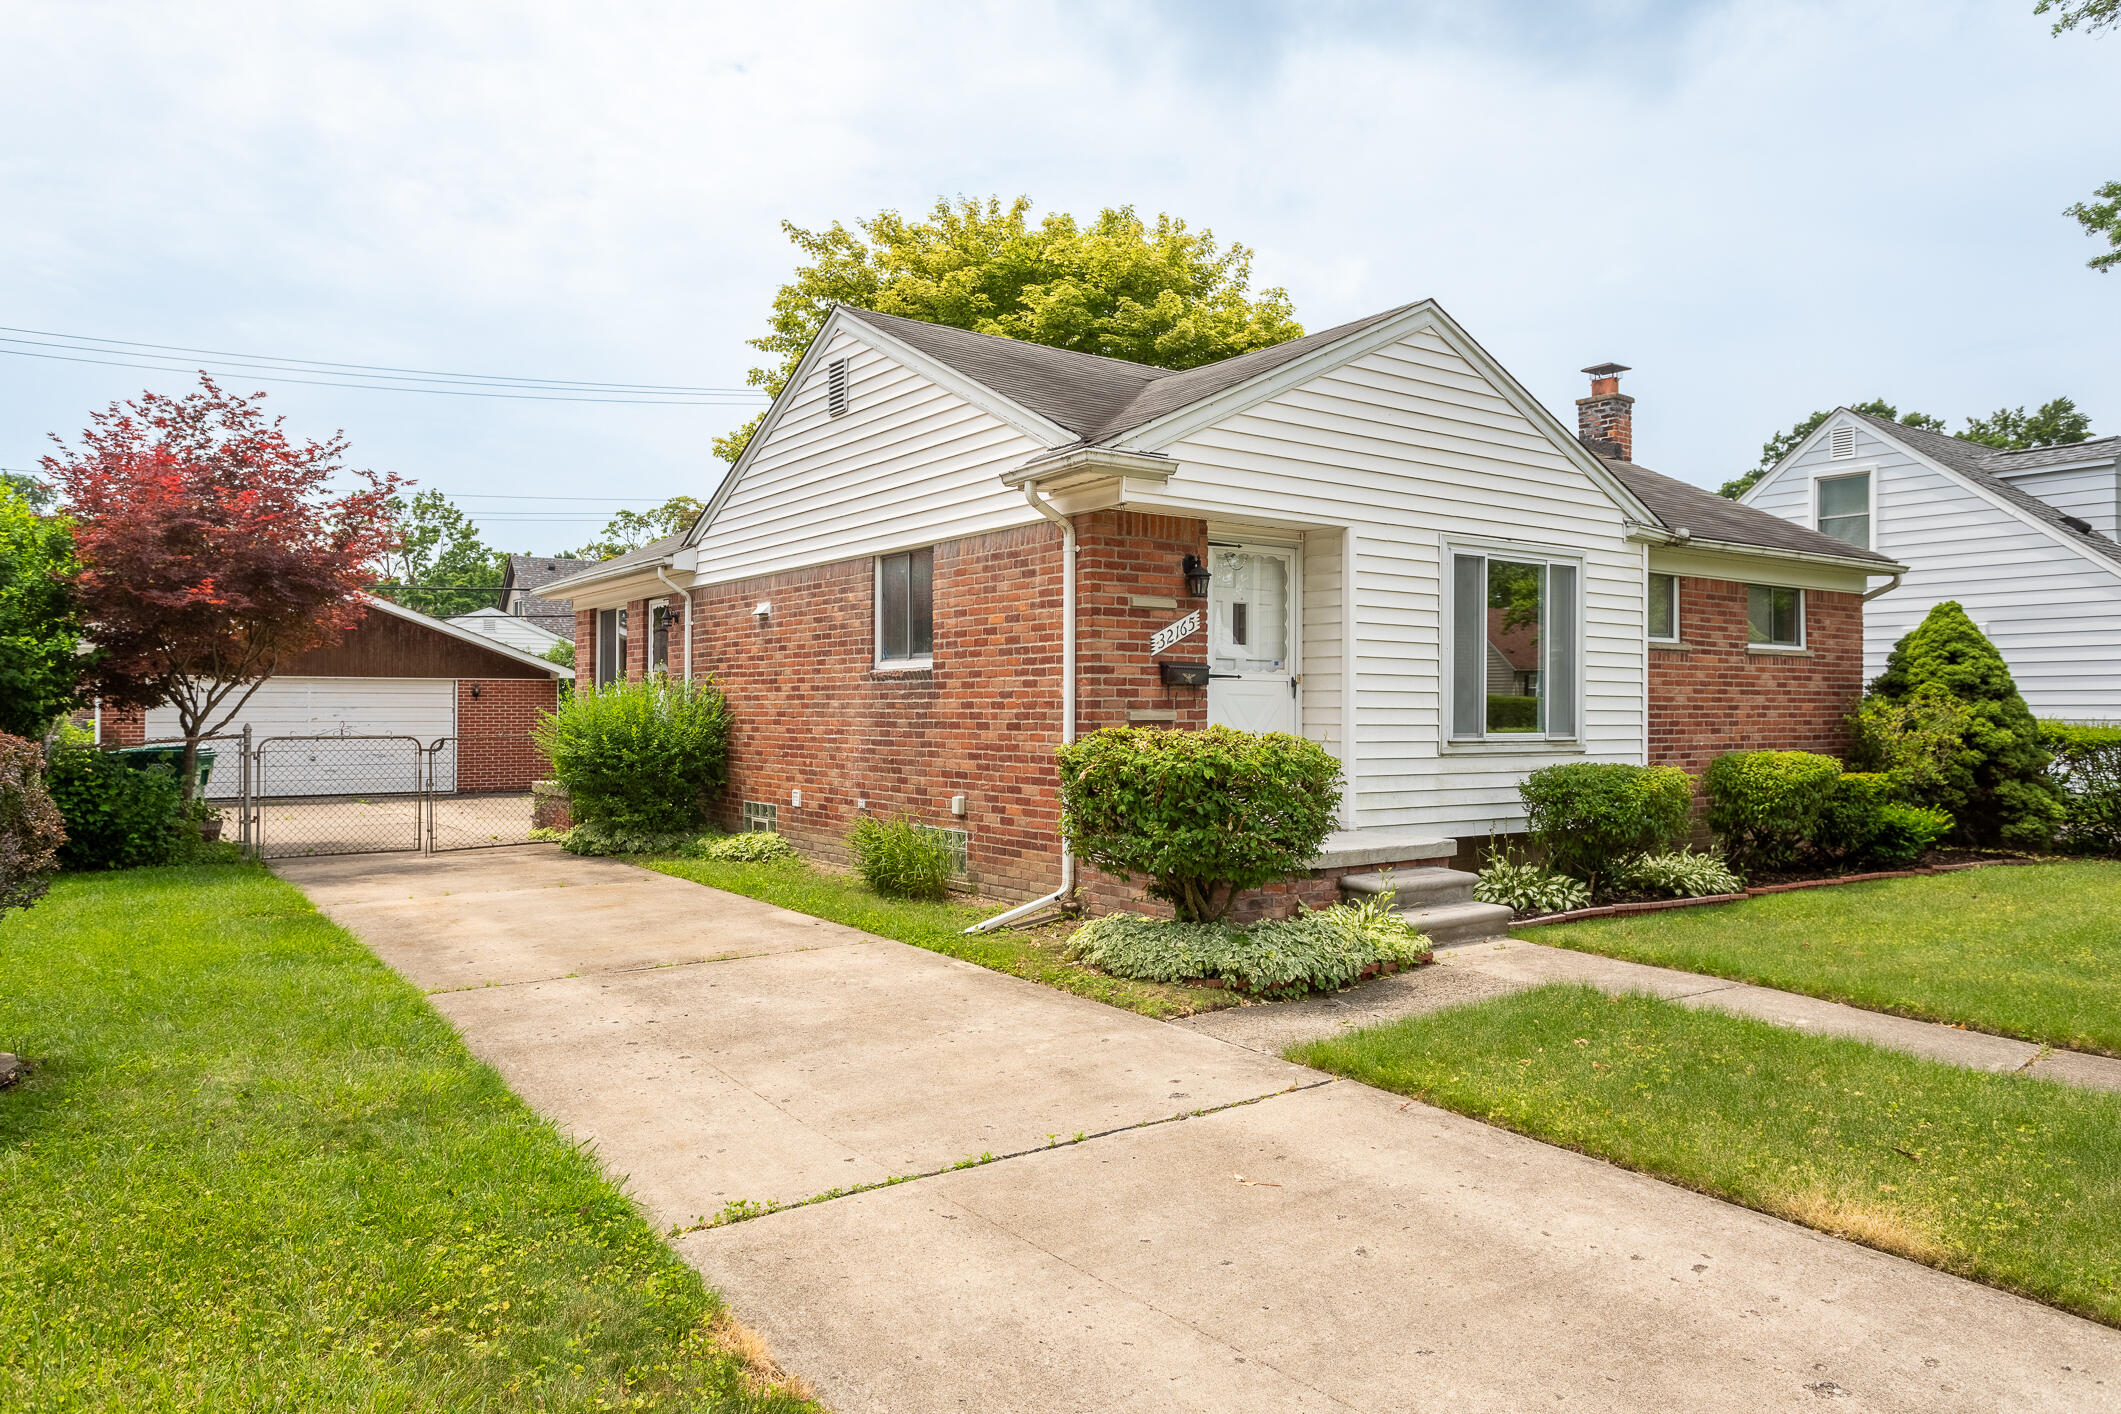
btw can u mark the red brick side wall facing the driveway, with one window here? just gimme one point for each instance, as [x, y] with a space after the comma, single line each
[816, 715]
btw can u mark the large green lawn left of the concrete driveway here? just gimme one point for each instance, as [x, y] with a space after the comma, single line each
[253, 1171]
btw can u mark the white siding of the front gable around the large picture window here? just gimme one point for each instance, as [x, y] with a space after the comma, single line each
[1414, 446]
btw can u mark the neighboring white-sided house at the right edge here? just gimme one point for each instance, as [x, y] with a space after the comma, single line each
[2022, 540]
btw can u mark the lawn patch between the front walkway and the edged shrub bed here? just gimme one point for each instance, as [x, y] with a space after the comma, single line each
[2022, 953]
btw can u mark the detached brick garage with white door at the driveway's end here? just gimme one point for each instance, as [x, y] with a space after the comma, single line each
[398, 675]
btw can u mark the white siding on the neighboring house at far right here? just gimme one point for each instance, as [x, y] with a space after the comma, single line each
[2052, 609]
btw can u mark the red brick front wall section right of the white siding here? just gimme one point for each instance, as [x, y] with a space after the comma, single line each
[1713, 696]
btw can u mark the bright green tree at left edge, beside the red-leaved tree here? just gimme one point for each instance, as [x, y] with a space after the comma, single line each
[41, 626]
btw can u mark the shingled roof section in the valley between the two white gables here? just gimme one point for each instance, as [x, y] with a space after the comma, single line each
[1093, 397]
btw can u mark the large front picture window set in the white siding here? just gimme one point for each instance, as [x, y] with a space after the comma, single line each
[1515, 646]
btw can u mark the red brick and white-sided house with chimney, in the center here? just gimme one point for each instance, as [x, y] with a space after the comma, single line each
[943, 554]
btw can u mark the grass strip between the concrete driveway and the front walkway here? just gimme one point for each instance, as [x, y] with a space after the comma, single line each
[2005, 1180]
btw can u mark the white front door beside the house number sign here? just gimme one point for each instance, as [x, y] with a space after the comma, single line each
[1252, 639]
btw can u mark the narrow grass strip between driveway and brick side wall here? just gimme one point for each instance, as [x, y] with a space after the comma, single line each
[939, 927]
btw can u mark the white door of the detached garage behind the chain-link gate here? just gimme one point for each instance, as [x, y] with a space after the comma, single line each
[421, 709]
